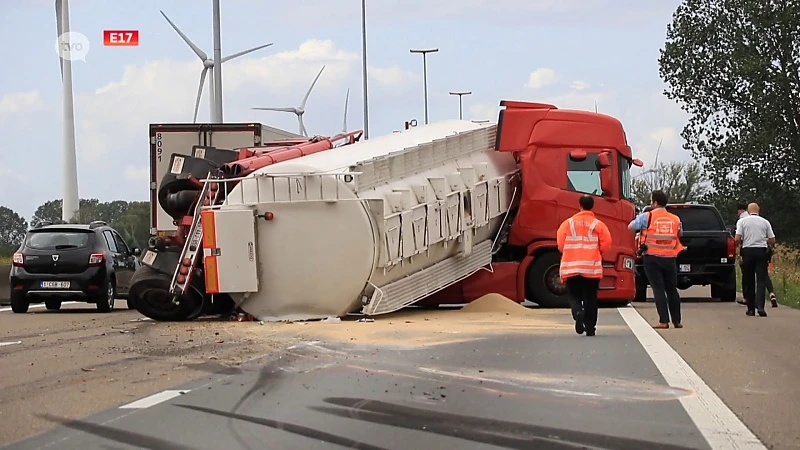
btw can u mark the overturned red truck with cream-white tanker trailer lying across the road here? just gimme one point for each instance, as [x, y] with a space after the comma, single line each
[442, 213]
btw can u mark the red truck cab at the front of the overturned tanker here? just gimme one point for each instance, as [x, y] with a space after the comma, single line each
[562, 155]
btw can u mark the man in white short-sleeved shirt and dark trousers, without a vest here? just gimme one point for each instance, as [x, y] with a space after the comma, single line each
[754, 236]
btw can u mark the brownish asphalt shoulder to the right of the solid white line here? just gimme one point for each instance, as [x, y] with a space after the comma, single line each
[752, 363]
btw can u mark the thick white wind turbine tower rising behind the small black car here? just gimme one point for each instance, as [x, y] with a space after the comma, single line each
[70, 205]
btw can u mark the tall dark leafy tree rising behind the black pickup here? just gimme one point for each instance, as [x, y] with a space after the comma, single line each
[734, 65]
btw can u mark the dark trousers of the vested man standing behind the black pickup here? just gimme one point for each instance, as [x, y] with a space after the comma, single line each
[662, 274]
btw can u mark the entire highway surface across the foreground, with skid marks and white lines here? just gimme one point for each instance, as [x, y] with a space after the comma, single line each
[536, 384]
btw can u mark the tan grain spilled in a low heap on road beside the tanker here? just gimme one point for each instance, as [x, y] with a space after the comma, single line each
[413, 327]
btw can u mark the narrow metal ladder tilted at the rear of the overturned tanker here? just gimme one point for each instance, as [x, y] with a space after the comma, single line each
[209, 196]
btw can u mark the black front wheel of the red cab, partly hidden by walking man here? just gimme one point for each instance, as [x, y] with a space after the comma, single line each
[543, 282]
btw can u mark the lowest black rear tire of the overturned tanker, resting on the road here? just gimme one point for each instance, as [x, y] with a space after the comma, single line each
[149, 291]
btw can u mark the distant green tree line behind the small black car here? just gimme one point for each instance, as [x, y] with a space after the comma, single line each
[130, 219]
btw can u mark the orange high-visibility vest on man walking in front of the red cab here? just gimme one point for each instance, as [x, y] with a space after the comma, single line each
[581, 253]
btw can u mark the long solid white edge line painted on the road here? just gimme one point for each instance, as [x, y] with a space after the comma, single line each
[718, 424]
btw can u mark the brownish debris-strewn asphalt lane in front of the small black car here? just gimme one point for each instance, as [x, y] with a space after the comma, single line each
[77, 361]
